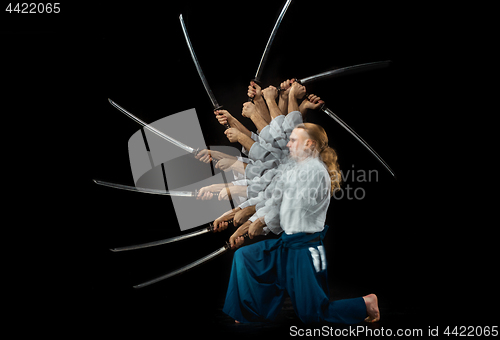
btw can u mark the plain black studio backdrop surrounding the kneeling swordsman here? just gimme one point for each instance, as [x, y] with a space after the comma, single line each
[417, 242]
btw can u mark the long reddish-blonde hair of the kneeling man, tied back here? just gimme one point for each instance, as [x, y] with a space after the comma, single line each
[326, 153]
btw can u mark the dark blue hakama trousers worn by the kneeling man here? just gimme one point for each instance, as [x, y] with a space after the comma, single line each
[263, 271]
